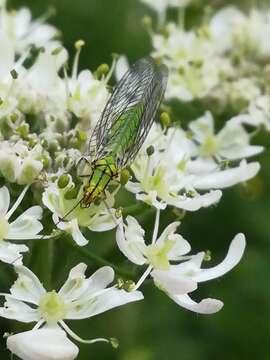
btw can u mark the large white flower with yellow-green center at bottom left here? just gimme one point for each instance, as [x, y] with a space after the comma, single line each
[79, 298]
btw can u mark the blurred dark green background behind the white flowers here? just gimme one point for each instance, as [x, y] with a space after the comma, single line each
[156, 328]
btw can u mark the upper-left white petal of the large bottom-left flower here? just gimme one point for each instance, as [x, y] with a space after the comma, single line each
[27, 287]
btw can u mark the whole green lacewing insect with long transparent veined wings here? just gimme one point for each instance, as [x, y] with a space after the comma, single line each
[124, 124]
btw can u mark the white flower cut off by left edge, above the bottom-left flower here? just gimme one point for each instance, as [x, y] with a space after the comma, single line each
[26, 226]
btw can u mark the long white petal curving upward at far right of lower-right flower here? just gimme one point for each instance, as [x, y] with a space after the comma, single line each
[235, 253]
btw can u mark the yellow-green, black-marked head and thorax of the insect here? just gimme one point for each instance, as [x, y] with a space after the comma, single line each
[103, 171]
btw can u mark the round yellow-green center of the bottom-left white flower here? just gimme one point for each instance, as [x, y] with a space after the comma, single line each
[52, 307]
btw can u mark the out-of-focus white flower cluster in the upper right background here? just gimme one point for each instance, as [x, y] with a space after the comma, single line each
[223, 61]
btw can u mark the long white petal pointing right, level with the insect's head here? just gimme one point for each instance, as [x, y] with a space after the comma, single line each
[226, 178]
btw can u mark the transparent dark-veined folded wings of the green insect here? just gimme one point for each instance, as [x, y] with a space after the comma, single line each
[135, 101]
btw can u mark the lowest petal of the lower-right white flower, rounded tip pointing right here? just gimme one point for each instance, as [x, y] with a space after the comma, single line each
[206, 306]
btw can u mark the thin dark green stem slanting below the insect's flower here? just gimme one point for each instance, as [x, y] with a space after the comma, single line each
[99, 260]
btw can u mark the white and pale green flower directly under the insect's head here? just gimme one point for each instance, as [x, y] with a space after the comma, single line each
[95, 218]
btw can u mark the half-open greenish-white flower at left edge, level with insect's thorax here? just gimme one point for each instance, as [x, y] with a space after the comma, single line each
[18, 163]
